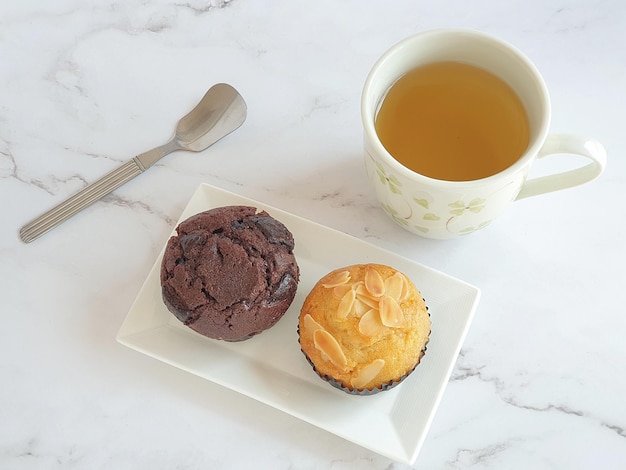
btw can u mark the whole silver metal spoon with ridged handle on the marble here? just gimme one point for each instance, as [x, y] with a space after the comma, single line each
[219, 112]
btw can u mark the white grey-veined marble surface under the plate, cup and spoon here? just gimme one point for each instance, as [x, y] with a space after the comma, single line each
[86, 84]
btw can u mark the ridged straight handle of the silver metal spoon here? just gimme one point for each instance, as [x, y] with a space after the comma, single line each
[85, 197]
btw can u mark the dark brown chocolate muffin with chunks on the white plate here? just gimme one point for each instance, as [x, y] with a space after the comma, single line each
[230, 272]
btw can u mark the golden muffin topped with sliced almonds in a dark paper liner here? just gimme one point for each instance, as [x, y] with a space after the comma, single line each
[364, 328]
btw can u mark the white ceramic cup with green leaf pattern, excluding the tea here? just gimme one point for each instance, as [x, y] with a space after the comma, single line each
[446, 209]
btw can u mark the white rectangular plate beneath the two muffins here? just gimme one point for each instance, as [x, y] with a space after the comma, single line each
[271, 368]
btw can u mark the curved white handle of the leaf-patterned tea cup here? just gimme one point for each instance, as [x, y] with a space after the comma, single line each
[572, 144]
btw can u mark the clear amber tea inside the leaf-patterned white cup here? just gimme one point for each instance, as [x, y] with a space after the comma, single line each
[453, 121]
